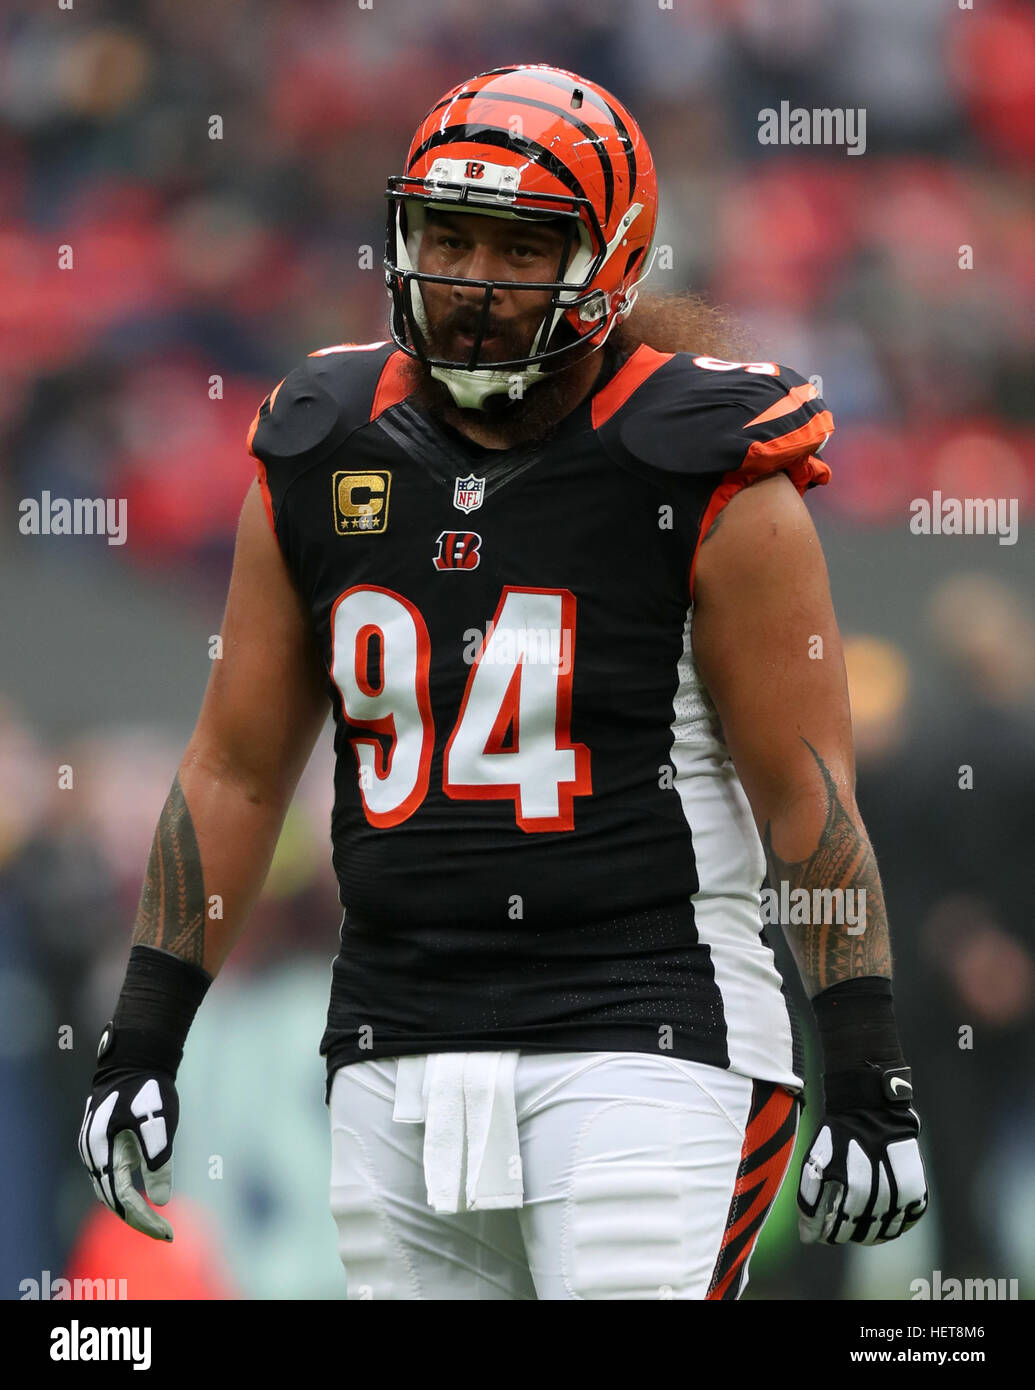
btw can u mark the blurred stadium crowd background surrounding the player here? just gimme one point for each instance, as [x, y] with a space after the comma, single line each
[231, 258]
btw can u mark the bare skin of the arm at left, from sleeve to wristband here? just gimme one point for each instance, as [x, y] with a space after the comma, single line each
[262, 715]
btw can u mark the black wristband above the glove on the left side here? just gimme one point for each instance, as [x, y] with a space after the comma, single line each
[159, 1001]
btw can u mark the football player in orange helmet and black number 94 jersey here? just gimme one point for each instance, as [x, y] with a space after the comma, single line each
[573, 621]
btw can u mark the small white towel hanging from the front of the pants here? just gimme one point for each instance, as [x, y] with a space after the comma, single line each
[472, 1153]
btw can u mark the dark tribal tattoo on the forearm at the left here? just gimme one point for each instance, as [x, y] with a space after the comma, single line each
[173, 903]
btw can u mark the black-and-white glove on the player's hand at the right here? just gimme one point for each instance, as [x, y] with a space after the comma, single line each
[863, 1179]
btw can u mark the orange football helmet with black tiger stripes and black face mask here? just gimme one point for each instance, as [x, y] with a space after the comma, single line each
[540, 144]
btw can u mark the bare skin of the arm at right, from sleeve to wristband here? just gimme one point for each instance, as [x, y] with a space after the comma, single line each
[768, 647]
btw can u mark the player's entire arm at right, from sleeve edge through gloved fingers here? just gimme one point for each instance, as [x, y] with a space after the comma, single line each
[768, 647]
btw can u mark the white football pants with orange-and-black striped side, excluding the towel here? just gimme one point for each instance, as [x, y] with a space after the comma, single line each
[643, 1178]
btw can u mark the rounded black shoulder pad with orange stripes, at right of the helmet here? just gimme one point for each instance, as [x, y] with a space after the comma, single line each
[701, 415]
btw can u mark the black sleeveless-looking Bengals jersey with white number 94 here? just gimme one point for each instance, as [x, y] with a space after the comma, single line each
[540, 839]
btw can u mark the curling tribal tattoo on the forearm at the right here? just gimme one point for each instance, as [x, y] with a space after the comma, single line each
[825, 950]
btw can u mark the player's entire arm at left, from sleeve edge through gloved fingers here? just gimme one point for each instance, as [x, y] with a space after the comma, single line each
[216, 837]
